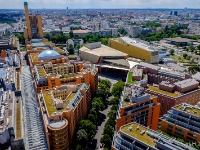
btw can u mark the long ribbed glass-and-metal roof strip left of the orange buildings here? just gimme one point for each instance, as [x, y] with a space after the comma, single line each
[33, 126]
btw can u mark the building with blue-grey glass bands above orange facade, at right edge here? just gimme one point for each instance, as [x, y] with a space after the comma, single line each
[182, 121]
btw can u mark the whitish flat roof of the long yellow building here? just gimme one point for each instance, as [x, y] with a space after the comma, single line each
[138, 44]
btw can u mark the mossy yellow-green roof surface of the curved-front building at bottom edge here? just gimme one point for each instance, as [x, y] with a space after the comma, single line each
[136, 133]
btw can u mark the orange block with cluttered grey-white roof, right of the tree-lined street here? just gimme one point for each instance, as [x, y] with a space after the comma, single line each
[137, 106]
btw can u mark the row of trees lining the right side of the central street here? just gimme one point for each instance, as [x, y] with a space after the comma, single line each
[109, 127]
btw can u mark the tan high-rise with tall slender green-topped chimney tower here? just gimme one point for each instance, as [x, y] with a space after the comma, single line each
[33, 24]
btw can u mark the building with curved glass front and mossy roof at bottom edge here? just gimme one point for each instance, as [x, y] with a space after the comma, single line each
[135, 136]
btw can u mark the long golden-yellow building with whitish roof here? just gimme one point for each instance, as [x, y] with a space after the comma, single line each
[135, 49]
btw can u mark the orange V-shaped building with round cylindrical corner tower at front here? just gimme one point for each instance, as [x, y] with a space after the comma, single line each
[62, 109]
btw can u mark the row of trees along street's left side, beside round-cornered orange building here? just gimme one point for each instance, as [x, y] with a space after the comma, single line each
[87, 128]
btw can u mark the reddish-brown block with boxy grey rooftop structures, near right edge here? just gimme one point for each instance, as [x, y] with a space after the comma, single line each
[170, 86]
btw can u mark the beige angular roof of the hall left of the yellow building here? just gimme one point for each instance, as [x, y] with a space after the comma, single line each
[103, 51]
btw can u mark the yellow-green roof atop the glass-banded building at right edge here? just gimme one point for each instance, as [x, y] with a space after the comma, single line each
[187, 108]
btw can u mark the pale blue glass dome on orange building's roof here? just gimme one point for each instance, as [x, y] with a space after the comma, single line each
[49, 55]
